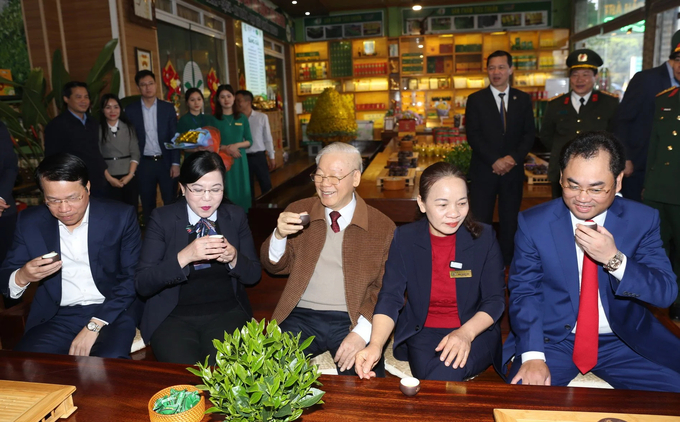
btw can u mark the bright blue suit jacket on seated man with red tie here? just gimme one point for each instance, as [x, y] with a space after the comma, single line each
[544, 288]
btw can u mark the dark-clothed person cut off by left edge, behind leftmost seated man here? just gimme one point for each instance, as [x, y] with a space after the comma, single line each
[9, 169]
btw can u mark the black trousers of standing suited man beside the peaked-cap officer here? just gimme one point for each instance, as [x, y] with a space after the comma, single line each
[485, 186]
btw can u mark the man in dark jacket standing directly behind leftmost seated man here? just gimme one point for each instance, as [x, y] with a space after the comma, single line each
[75, 132]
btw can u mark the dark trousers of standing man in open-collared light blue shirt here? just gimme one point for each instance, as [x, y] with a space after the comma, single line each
[152, 173]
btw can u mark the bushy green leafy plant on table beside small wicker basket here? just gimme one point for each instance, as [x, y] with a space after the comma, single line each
[260, 375]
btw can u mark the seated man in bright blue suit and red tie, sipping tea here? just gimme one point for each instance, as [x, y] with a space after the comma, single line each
[578, 294]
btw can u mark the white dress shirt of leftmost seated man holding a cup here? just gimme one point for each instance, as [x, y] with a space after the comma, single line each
[77, 283]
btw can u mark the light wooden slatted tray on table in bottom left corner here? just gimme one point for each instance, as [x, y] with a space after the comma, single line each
[35, 402]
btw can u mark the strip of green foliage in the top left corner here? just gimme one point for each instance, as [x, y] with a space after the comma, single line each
[14, 52]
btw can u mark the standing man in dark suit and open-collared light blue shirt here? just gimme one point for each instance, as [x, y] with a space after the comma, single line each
[155, 123]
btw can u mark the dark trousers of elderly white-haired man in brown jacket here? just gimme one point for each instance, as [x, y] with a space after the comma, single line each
[329, 329]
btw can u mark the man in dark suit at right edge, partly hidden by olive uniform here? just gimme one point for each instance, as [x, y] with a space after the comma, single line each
[635, 115]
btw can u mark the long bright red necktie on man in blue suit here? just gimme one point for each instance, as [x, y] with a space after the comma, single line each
[586, 341]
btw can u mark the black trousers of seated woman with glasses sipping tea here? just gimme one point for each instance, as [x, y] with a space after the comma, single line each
[189, 339]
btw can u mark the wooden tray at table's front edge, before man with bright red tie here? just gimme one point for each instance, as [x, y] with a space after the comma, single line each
[519, 415]
